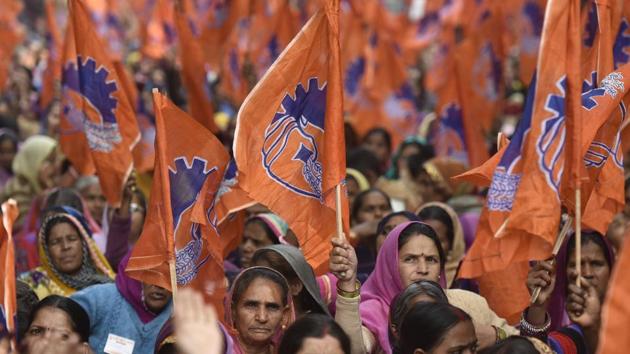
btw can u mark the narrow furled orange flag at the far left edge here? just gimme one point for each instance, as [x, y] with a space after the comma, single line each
[8, 307]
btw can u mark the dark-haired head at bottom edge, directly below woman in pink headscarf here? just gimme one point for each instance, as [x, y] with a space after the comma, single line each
[445, 329]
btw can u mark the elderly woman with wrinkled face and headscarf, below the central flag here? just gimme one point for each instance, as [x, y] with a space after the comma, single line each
[259, 309]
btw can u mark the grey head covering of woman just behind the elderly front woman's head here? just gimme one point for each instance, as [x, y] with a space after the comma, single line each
[302, 269]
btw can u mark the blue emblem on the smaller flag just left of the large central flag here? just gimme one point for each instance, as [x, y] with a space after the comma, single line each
[186, 181]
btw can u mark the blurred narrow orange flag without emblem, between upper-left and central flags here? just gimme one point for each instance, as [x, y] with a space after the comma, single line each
[194, 69]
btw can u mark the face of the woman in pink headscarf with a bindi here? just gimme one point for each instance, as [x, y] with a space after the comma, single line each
[418, 259]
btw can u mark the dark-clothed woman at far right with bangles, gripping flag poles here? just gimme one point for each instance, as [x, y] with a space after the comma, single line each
[546, 319]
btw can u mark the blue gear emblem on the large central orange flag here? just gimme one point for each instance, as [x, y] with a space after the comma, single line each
[291, 140]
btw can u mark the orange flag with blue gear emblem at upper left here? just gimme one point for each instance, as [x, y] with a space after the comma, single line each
[98, 128]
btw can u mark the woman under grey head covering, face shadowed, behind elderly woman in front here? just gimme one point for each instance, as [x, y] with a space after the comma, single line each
[290, 262]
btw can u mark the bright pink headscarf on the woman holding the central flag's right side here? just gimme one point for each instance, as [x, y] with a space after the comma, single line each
[382, 286]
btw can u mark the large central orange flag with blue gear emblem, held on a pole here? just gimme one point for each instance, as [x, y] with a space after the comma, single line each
[289, 143]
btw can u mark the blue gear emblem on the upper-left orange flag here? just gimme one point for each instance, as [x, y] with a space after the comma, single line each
[88, 84]
